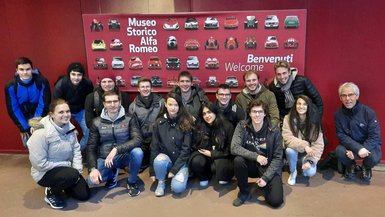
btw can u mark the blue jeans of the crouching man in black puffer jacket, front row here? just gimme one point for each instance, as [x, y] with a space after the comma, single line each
[133, 159]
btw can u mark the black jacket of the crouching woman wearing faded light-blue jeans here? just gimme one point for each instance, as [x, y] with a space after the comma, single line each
[171, 141]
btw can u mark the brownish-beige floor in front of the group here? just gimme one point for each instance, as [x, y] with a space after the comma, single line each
[327, 194]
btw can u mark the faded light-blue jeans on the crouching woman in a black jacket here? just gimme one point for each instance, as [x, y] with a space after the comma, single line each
[162, 164]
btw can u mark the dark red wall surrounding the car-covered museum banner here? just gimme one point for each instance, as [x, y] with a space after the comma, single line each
[344, 43]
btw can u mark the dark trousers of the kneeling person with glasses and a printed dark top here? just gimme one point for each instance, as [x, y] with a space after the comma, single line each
[244, 168]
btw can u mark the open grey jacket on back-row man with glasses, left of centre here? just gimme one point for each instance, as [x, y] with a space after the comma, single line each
[147, 117]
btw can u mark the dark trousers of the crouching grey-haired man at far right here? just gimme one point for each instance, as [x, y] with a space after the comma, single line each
[369, 162]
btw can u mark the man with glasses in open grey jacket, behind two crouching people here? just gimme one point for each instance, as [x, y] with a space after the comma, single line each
[146, 106]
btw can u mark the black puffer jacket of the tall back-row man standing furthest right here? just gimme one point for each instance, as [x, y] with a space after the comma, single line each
[300, 86]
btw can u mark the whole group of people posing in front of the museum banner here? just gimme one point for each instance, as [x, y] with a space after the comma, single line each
[184, 134]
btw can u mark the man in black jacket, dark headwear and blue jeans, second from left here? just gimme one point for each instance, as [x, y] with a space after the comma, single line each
[74, 88]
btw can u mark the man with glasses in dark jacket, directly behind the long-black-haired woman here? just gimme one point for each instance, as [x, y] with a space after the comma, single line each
[232, 112]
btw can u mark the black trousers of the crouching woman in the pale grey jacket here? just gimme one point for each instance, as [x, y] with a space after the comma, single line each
[66, 179]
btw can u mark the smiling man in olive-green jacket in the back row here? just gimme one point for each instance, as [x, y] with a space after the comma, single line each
[255, 90]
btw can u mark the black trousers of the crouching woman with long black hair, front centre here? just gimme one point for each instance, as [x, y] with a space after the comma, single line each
[203, 167]
